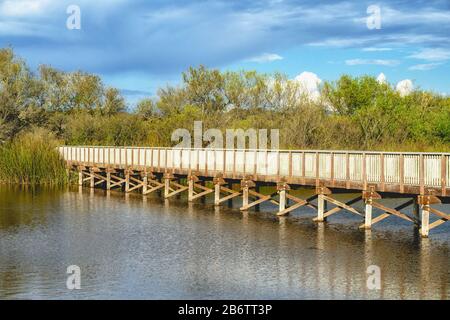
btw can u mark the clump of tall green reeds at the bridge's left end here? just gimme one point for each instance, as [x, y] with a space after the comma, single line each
[31, 158]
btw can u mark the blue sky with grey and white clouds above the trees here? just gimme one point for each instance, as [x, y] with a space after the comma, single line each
[138, 45]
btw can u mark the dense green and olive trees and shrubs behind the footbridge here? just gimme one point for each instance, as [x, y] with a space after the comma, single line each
[351, 113]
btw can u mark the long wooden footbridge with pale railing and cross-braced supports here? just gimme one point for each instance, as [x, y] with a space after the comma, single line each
[421, 178]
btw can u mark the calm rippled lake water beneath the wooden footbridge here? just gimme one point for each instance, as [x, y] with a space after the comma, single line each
[135, 247]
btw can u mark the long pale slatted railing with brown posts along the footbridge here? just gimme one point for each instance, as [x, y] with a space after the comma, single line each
[389, 171]
